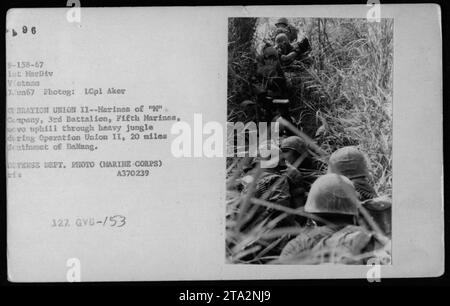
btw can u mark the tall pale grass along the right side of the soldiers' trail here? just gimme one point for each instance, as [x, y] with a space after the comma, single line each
[351, 79]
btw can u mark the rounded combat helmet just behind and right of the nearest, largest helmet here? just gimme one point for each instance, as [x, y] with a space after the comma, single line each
[349, 161]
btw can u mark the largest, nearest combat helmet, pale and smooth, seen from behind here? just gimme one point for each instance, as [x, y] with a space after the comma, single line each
[332, 194]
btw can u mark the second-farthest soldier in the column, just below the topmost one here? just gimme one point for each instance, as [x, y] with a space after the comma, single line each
[290, 52]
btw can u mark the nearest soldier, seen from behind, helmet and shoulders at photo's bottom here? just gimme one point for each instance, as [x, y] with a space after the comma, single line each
[336, 237]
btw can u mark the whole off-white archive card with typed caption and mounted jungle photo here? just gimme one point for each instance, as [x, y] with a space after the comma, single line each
[223, 143]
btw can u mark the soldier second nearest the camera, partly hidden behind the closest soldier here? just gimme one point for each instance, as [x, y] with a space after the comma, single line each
[352, 163]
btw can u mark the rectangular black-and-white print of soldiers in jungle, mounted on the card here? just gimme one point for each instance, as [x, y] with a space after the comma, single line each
[324, 194]
